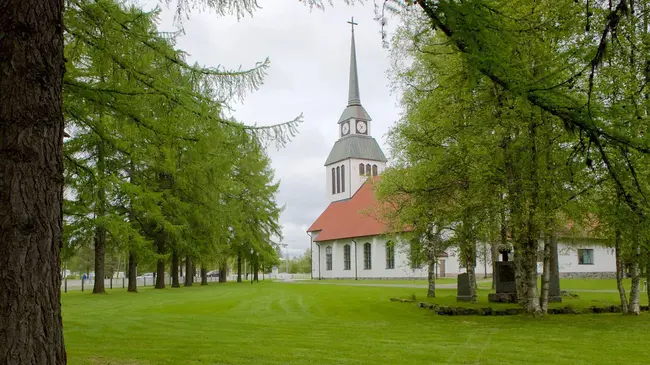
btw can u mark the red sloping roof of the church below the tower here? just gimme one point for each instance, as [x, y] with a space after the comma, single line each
[354, 217]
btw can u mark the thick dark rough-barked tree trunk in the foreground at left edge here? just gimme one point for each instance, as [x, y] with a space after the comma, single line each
[31, 181]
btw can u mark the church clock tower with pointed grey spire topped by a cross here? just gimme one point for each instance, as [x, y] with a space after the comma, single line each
[356, 155]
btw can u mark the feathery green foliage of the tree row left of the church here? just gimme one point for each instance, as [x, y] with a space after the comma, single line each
[152, 165]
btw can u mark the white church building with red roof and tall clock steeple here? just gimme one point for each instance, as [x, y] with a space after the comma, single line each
[349, 243]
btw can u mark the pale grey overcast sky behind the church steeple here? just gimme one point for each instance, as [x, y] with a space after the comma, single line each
[310, 57]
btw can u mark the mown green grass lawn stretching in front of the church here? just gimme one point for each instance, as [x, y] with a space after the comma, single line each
[284, 323]
